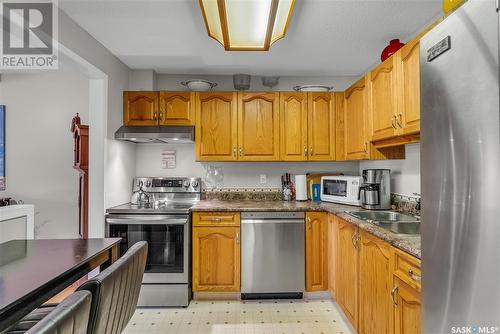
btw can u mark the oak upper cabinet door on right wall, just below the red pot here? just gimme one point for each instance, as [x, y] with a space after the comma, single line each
[383, 99]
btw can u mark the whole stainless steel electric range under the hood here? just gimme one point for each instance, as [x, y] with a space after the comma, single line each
[159, 214]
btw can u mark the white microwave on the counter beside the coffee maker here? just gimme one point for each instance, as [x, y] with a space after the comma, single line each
[341, 189]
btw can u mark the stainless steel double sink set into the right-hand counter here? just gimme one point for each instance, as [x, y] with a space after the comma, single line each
[395, 222]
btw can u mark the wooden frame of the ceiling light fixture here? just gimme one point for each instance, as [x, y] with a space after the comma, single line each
[268, 41]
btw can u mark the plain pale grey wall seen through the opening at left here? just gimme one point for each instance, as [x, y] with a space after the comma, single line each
[39, 145]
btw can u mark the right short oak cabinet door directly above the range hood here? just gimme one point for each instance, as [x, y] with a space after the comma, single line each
[177, 108]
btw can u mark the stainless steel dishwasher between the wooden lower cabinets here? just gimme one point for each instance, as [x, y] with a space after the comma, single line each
[272, 255]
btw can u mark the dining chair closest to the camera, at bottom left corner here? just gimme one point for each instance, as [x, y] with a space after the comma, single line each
[71, 316]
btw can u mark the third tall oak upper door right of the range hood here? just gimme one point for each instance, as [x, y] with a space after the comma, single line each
[293, 126]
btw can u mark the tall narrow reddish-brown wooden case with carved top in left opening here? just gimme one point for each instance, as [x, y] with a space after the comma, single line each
[81, 164]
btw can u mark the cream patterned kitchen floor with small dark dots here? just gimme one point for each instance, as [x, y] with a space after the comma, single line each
[234, 317]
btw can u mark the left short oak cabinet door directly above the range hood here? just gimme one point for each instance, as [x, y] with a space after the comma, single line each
[140, 108]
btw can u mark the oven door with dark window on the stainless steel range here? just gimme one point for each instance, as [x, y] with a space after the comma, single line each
[168, 243]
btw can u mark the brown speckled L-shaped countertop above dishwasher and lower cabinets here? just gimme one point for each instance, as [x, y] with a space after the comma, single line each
[409, 244]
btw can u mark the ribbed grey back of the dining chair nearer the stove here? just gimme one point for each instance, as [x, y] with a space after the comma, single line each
[115, 291]
